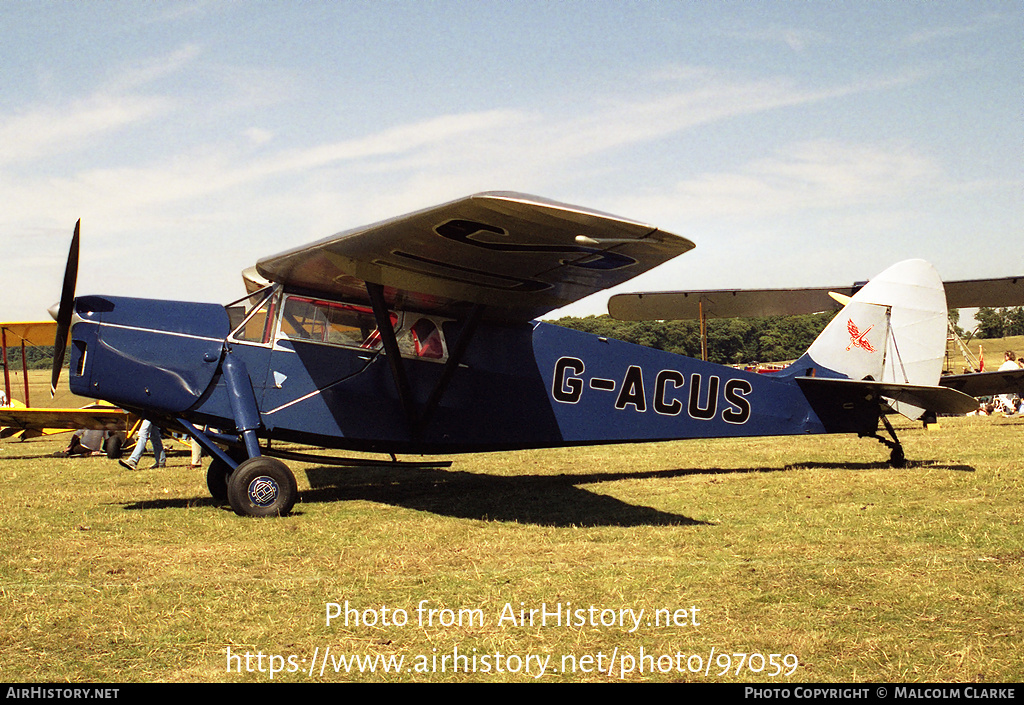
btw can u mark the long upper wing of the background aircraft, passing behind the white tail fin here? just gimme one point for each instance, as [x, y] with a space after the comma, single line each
[760, 303]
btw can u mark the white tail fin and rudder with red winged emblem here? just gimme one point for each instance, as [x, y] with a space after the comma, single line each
[893, 330]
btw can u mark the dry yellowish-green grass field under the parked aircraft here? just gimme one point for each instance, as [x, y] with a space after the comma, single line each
[804, 547]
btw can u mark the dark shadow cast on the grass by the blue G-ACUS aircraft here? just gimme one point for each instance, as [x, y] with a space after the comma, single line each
[546, 501]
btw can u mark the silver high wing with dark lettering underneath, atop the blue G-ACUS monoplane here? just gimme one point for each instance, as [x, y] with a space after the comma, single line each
[520, 256]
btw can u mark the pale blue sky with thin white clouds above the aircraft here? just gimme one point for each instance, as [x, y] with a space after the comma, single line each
[795, 143]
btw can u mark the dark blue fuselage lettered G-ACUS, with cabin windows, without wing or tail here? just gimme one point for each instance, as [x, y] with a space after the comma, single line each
[315, 372]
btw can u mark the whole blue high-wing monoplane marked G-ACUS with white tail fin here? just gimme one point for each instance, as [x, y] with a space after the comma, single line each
[418, 336]
